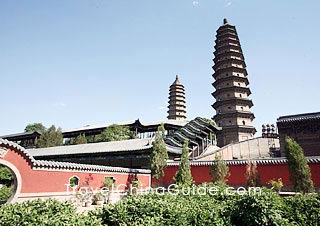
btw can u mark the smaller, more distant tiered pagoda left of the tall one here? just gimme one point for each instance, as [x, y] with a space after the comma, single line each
[177, 102]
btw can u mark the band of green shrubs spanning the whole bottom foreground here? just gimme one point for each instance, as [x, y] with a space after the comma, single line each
[265, 209]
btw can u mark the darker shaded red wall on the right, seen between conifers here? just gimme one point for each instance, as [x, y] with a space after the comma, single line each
[237, 174]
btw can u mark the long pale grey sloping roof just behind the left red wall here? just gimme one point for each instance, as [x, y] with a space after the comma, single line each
[102, 147]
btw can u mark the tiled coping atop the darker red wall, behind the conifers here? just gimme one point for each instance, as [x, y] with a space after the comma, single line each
[272, 161]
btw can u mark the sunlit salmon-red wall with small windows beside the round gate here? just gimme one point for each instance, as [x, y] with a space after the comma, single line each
[35, 181]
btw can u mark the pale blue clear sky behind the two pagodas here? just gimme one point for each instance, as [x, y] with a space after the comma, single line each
[73, 63]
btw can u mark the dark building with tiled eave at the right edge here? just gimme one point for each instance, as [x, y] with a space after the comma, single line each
[303, 128]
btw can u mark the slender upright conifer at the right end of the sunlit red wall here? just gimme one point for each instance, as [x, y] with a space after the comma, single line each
[159, 155]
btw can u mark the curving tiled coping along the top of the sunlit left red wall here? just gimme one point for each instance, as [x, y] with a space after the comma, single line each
[47, 165]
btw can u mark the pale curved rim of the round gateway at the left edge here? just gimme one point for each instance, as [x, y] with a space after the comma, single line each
[16, 180]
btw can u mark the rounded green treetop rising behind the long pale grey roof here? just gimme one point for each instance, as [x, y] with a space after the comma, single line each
[115, 133]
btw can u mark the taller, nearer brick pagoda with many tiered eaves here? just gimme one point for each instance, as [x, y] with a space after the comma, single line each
[231, 88]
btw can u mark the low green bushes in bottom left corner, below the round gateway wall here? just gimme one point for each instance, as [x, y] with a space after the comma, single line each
[45, 213]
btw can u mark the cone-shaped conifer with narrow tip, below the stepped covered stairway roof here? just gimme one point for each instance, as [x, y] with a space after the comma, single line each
[183, 176]
